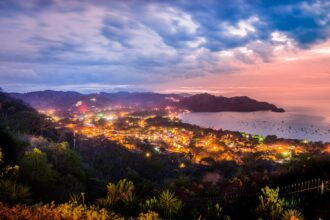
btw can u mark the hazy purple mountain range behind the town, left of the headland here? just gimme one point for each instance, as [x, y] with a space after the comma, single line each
[65, 100]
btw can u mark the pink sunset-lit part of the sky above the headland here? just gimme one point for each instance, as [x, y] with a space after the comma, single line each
[300, 82]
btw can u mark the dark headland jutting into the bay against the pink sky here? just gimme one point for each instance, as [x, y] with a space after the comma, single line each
[209, 103]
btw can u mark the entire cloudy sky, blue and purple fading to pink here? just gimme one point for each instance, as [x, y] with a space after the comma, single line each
[278, 51]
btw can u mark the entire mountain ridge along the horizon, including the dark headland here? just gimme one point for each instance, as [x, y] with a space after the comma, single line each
[196, 103]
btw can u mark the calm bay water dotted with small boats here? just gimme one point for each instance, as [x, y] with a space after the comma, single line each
[286, 125]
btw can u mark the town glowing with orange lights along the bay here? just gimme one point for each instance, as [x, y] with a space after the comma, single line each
[163, 132]
